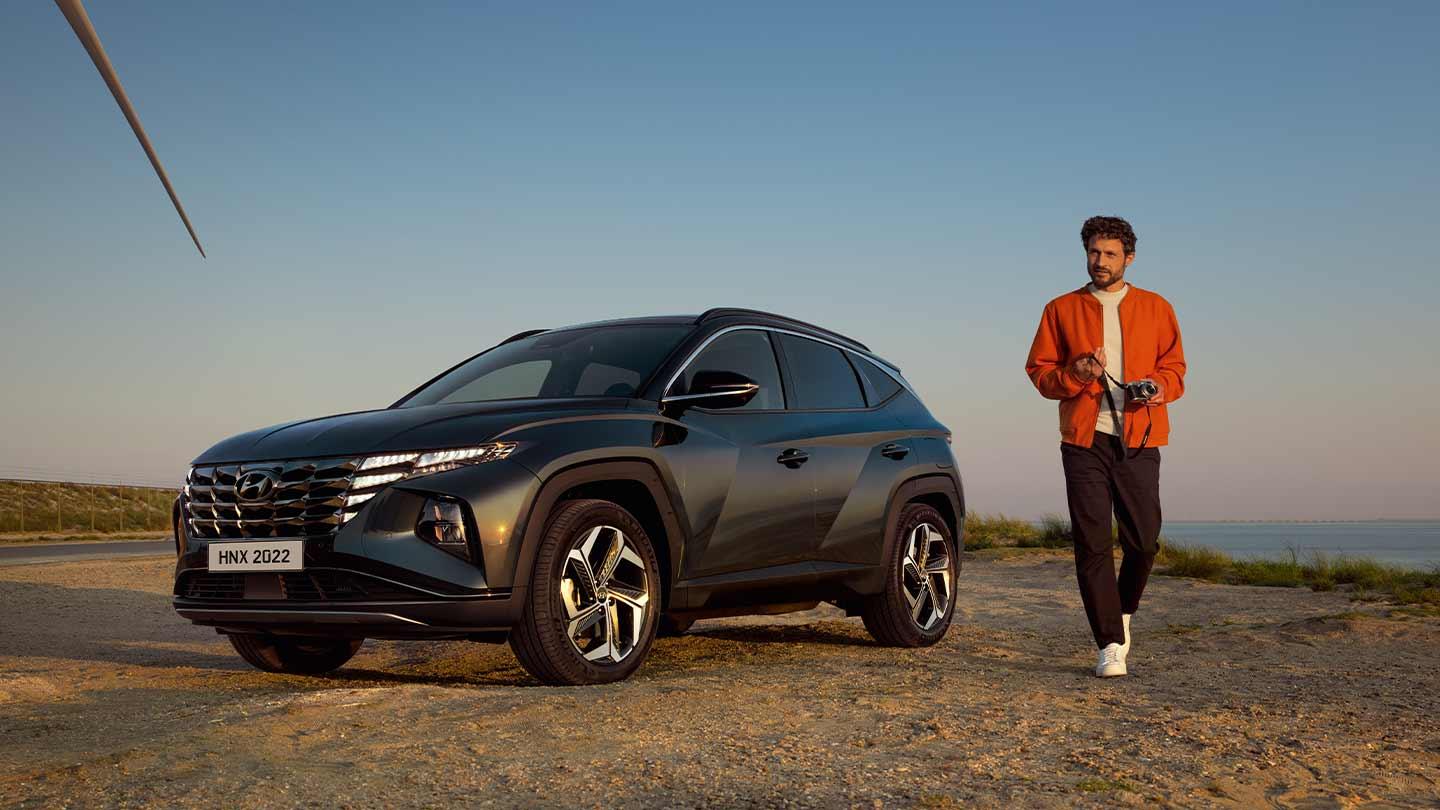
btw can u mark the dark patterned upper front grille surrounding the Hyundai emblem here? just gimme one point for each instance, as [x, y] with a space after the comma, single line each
[307, 499]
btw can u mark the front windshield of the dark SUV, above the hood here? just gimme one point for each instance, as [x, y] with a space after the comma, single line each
[607, 361]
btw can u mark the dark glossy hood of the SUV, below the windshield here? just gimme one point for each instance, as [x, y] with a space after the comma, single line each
[397, 430]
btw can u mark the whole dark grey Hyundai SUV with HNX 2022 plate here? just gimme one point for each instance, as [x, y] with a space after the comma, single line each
[577, 492]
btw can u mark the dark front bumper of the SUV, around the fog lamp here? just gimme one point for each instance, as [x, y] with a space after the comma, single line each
[375, 579]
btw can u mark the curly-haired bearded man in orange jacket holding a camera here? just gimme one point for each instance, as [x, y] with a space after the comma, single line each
[1089, 345]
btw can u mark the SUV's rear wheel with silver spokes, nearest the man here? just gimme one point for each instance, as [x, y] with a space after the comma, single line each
[909, 613]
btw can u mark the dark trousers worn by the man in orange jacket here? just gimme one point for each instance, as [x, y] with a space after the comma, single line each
[1099, 481]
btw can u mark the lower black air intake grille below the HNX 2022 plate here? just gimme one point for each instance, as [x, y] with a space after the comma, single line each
[300, 586]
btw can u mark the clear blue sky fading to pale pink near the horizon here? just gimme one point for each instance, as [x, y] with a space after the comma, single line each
[385, 190]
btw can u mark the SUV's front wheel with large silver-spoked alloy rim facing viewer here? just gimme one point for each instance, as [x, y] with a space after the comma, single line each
[578, 625]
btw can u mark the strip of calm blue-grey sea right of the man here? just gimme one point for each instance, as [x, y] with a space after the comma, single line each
[1412, 544]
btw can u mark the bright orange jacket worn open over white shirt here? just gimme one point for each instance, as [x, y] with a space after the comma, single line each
[1074, 326]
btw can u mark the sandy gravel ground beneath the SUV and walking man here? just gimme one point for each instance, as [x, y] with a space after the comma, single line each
[1238, 698]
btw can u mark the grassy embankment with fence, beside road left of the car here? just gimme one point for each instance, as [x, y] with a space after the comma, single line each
[34, 507]
